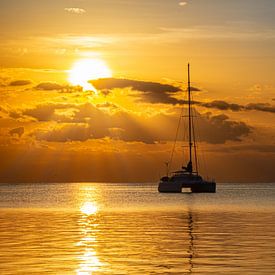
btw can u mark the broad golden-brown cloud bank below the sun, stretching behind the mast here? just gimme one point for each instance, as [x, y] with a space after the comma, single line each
[129, 127]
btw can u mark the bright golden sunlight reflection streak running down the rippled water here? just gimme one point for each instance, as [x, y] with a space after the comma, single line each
[88, 222]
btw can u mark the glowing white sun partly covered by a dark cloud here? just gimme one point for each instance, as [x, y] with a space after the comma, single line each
[88, 69]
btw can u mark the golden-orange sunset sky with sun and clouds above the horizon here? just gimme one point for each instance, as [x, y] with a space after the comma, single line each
[59, 123]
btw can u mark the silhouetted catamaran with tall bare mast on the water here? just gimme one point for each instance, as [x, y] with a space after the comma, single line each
[187, 177]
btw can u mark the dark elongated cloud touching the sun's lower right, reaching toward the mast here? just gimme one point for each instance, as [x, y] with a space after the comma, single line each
[152, 92]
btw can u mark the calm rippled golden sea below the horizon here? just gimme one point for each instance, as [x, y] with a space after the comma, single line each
[95, 228]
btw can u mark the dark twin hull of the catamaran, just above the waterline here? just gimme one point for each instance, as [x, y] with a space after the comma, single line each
[196, 187]
